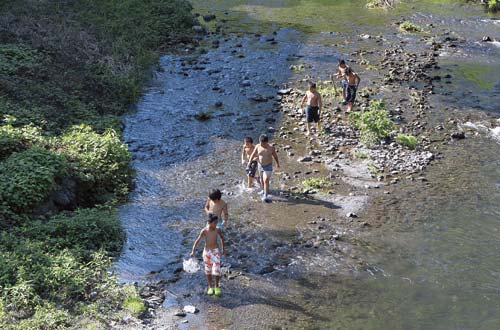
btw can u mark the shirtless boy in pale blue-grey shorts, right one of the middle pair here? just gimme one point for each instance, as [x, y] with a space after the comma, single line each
[265, 153]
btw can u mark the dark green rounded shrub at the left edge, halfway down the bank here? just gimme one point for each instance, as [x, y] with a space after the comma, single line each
[28, 177]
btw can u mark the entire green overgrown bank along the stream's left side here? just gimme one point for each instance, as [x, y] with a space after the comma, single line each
[68, 71]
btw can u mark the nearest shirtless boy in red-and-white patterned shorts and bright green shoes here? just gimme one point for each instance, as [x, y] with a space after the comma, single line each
[211, 254]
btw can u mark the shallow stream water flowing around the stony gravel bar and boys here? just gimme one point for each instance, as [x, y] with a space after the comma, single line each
[433, 263]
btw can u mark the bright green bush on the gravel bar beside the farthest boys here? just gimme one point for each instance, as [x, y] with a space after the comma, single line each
[373, 123]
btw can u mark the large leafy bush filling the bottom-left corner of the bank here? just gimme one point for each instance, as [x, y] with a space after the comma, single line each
[59, 261]
